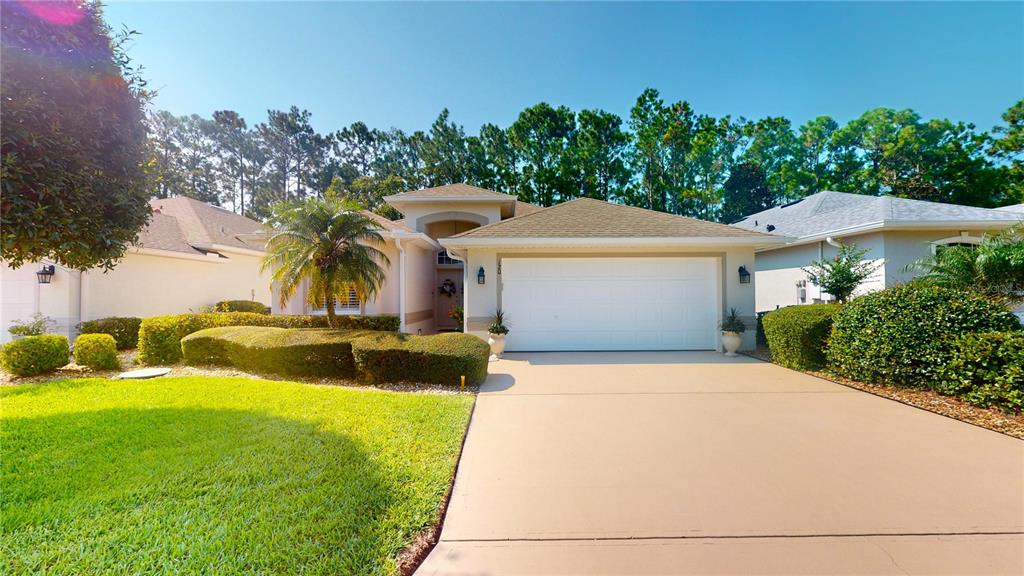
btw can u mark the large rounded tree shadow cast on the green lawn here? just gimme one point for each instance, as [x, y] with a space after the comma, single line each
[190, 491]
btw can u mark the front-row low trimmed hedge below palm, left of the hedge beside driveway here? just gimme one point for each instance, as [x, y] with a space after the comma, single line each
[289, 352]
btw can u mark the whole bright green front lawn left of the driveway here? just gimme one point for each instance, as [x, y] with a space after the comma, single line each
[220, 476]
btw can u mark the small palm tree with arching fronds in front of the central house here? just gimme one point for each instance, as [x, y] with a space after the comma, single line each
[330, 243]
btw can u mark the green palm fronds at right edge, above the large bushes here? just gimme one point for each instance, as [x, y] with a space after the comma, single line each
[995, 268]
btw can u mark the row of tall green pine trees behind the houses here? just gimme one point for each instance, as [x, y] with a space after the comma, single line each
[665, 157]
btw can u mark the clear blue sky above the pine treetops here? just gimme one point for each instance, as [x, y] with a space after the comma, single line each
[399, 65]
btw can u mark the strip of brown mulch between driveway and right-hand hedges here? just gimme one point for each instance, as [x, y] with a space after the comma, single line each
[991, 419]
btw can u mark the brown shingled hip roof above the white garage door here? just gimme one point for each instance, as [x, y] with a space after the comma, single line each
[586, 218]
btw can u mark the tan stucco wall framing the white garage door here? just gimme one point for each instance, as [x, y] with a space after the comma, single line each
[483, 301]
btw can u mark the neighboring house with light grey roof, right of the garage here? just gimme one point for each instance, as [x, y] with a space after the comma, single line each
[895, 231]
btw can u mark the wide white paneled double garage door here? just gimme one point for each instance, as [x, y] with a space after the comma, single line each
[611, 304]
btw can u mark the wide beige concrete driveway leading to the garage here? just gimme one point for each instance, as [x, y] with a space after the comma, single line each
[695, 464]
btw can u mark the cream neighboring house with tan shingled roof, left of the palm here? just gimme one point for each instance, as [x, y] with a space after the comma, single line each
[189, 257]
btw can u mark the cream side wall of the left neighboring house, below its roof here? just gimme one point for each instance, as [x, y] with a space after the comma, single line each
[146, 285]
